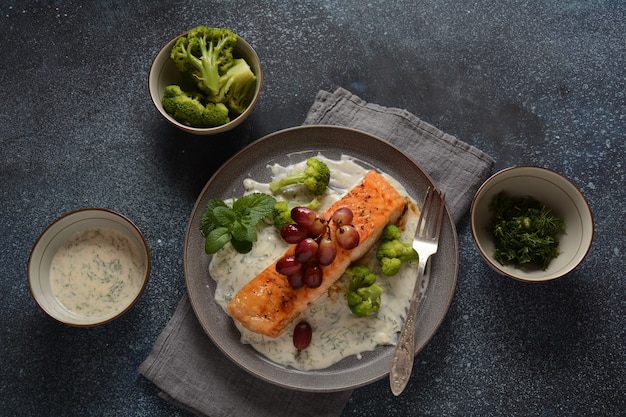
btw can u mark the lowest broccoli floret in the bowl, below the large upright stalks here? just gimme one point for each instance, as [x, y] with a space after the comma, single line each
[188, 108]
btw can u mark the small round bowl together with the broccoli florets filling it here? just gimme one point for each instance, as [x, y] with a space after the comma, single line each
[206, 81]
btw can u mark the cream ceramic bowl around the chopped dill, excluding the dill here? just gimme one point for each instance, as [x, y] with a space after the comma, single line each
[555, 192]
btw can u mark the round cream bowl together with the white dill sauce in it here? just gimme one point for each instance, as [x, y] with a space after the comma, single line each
[88, 267]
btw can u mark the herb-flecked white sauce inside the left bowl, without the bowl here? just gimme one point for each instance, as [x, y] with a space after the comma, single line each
[95, 272]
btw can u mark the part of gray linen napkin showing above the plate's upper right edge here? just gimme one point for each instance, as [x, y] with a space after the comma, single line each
[456, 167]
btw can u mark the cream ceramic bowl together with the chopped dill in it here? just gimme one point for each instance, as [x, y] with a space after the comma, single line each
[531, 223]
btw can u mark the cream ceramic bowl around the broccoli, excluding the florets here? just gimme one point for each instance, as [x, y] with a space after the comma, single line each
[163, 72]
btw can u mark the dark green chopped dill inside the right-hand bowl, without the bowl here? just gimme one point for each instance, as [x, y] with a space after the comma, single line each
[525, 231]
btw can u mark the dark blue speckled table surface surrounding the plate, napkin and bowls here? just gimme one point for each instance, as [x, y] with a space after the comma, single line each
[529, 82]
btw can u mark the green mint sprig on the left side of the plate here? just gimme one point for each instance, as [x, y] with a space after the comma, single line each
[221, 224]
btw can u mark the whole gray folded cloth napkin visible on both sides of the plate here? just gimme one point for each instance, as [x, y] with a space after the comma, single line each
[193, 373]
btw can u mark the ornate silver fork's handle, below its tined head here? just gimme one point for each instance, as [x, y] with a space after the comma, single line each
[404, 354]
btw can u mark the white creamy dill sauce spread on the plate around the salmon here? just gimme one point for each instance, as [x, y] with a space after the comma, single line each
[337, 333]
